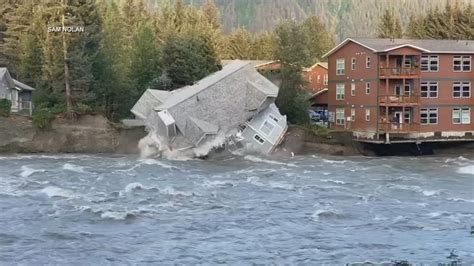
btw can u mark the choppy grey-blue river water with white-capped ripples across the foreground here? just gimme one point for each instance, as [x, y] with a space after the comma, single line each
[80, 209]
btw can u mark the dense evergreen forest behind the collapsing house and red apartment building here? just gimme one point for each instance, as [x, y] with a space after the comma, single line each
[128, 46]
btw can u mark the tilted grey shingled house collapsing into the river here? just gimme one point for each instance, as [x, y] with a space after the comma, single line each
[232, 108]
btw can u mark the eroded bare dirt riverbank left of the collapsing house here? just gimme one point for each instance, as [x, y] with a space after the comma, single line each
[87, 134]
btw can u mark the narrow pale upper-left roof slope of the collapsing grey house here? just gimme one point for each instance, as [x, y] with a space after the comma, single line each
[187, 92]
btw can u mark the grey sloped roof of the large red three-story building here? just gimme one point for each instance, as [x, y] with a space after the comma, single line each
[426, 45]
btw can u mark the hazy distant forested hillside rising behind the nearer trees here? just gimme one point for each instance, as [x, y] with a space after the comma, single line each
[342, 17]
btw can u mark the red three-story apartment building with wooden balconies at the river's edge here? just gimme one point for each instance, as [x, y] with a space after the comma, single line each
[398, 90]
